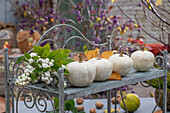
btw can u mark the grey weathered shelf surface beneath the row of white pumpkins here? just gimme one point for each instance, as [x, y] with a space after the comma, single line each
[74, 92]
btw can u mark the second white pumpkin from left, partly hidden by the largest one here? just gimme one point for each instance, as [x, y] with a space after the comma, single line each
[103, 68]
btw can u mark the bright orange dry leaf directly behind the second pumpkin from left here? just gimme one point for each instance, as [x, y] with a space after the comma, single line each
[92, 53]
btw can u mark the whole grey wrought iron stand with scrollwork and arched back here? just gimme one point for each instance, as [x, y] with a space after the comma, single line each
[41, 92]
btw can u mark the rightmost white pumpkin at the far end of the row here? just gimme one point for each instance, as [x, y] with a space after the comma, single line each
[142, 60]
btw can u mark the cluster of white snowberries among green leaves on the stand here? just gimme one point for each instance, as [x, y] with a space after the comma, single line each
[25, 78]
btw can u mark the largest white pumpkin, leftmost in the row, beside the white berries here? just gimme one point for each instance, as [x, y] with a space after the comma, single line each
[82, 73]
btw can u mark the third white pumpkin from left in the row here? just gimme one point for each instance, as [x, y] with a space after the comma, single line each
[121, 63]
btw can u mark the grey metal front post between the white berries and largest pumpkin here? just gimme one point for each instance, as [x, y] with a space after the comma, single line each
[61, 90]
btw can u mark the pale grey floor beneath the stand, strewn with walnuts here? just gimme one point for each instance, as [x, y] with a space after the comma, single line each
[147, 105]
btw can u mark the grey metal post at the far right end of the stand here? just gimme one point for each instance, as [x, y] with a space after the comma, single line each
[165, 83]
